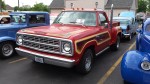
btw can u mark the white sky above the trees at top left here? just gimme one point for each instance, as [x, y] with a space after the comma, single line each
[14, 3]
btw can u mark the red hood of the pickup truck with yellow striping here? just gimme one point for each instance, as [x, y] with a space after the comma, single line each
[60, 31]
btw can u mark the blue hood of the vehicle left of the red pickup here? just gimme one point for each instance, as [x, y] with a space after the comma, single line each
[7, 26]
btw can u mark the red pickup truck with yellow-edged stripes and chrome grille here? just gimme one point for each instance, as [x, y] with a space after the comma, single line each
[73, 40]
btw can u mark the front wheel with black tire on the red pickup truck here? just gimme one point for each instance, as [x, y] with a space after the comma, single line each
[86, 62]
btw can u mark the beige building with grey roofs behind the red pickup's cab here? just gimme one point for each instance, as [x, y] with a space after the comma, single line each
[119, 5]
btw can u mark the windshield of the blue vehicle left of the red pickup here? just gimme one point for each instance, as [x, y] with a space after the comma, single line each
[18, 19]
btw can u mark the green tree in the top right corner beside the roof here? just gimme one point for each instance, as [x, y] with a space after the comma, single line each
[142, 6]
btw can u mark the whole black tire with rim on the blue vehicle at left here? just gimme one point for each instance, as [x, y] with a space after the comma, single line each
[7, 49]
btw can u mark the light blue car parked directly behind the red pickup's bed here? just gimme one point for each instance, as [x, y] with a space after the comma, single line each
[128, 28]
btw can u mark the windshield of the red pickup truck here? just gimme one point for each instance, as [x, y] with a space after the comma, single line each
[77, 18]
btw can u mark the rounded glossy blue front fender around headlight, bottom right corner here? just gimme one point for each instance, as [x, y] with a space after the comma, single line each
[131, 70]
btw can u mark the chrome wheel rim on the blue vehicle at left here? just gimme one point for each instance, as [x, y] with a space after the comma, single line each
[7, 50]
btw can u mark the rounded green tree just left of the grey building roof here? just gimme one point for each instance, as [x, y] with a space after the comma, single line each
[40, 7]
